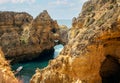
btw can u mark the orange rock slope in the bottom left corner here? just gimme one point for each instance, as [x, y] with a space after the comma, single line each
[6, 75]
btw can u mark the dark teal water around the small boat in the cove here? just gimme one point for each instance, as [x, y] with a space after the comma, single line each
[29, 69]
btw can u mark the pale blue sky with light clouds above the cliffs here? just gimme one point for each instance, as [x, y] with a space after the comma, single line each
[58, 9]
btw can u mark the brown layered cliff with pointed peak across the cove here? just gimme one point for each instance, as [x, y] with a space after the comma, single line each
[24, 38]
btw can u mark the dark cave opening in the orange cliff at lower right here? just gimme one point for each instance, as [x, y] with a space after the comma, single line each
[110, 70]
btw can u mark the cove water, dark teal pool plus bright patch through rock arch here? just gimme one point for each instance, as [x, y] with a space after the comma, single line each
[29, 67]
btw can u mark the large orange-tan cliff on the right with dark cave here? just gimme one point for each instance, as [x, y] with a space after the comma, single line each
[92, 54]
